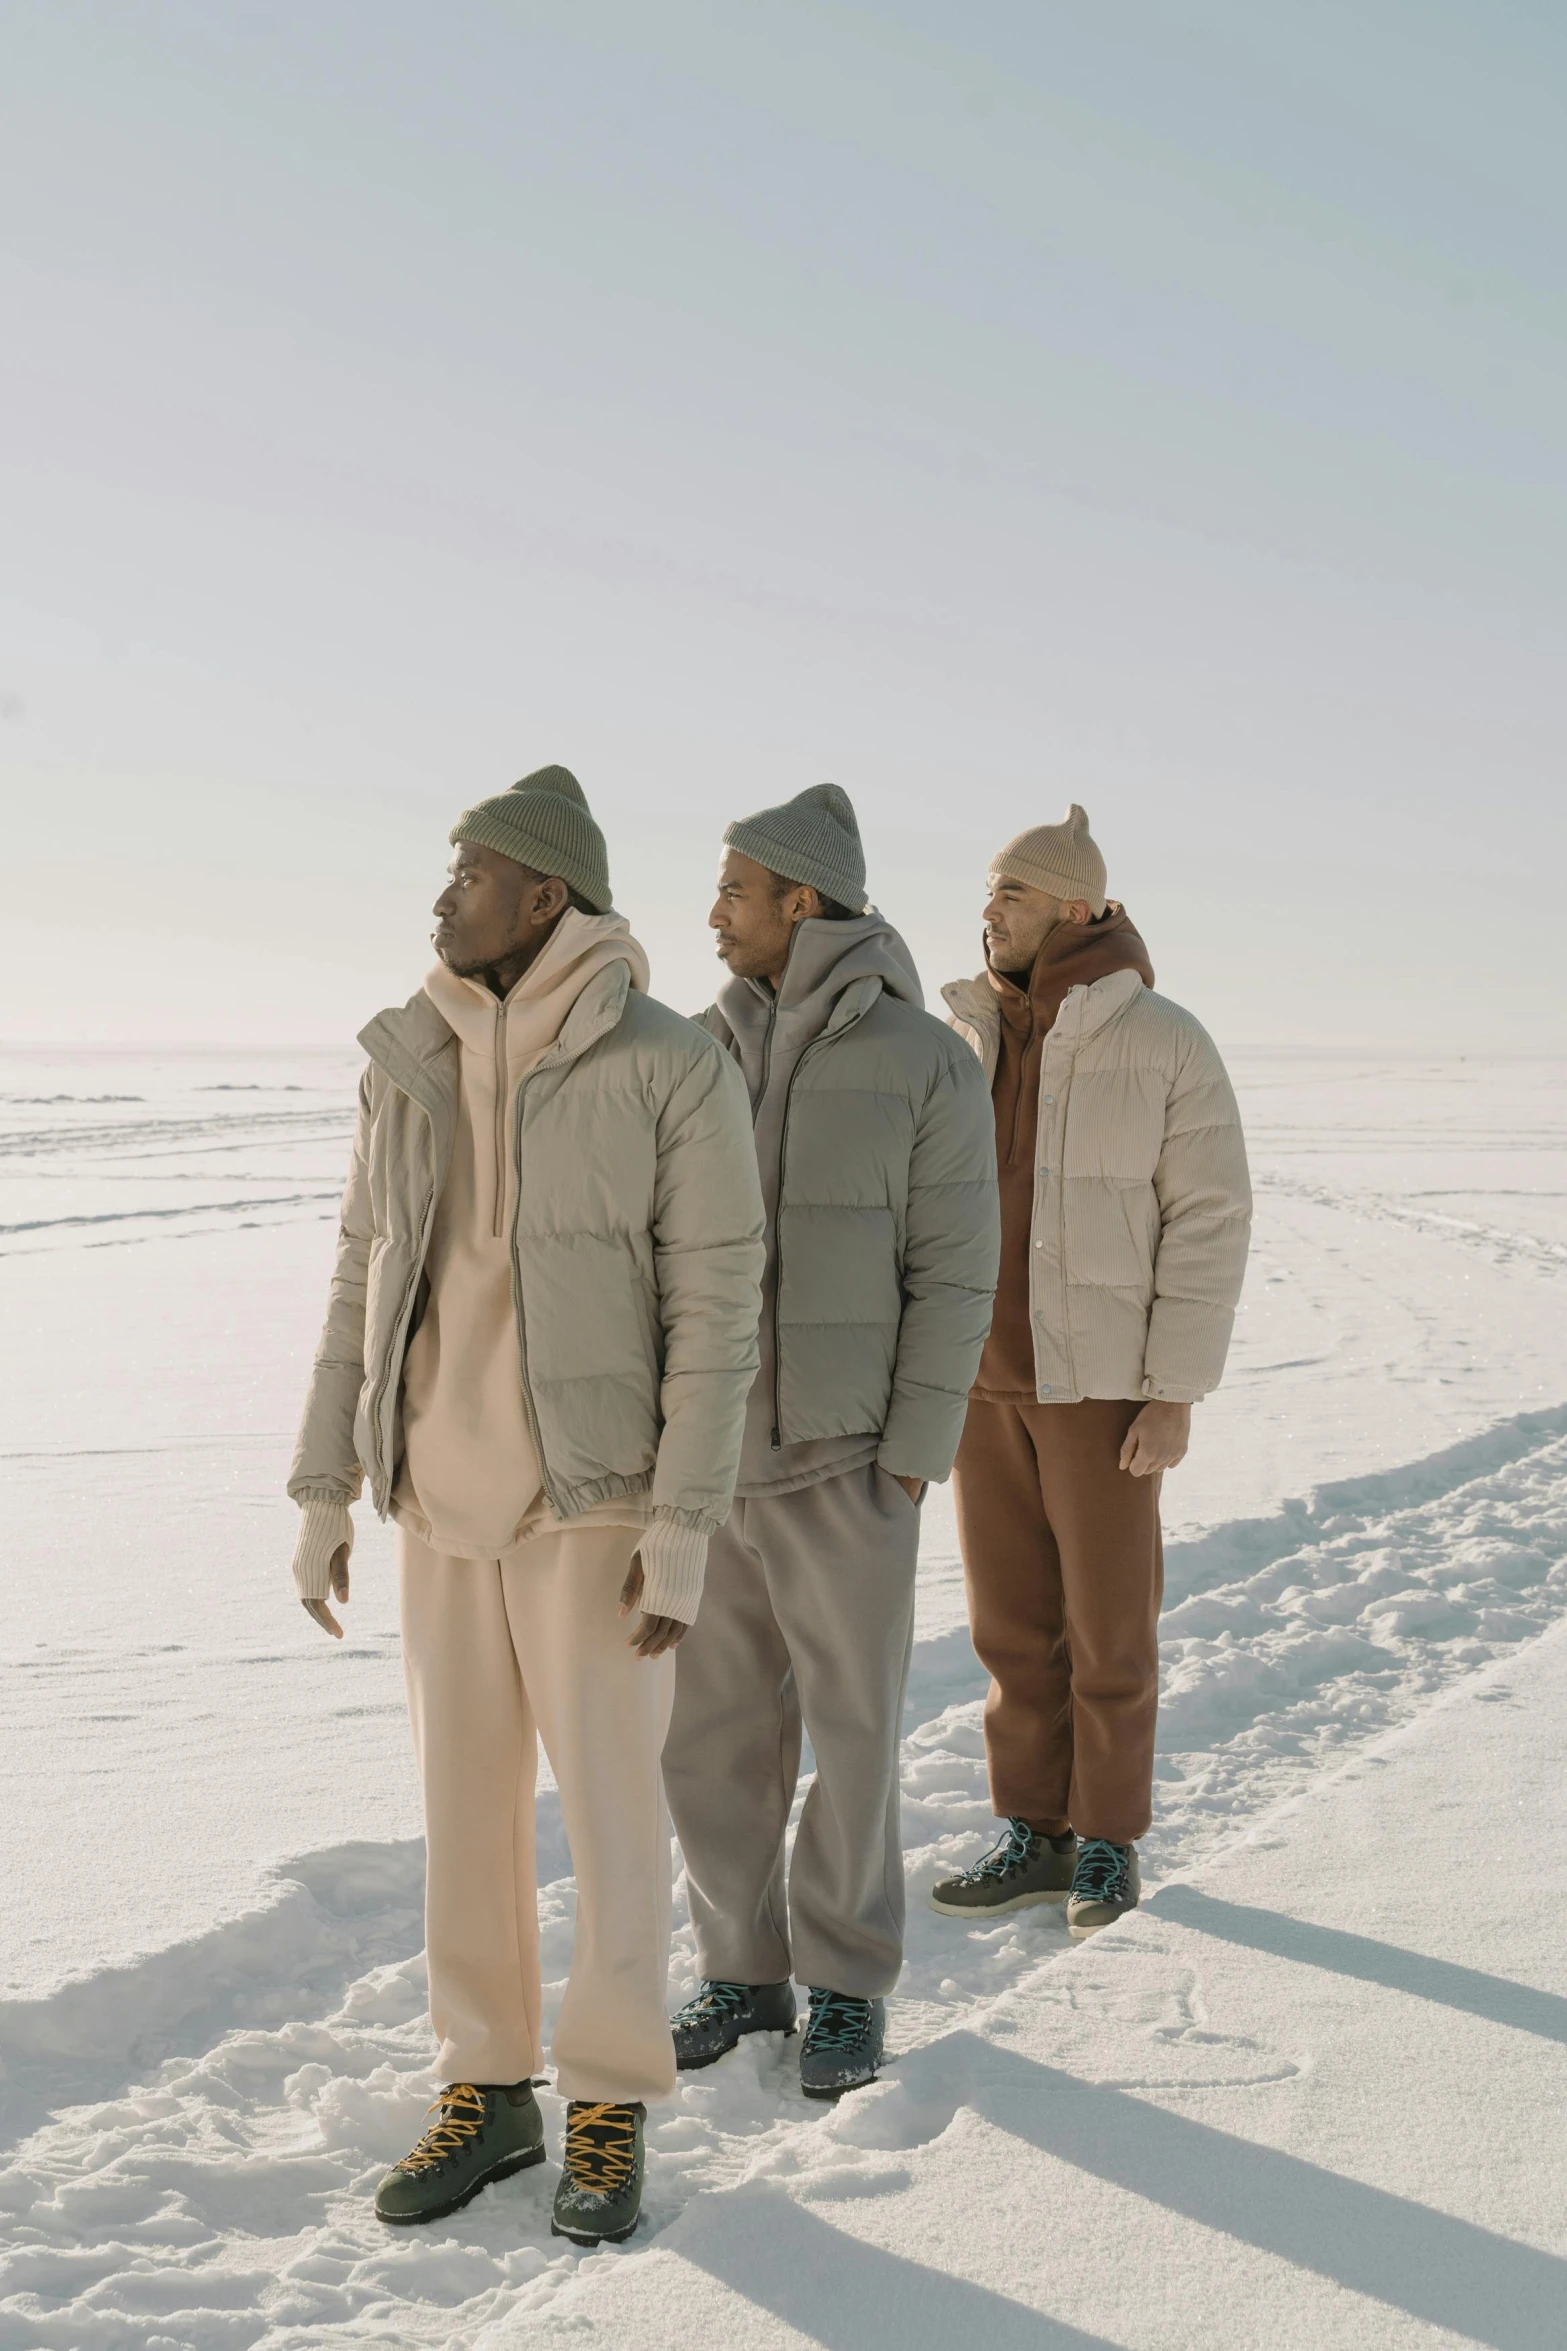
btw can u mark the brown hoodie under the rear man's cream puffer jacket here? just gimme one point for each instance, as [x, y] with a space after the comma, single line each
[1070, 958]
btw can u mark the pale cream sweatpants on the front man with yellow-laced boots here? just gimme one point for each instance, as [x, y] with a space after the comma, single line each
[502, 1654]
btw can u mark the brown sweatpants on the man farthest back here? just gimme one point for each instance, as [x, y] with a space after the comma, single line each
[1065, 1574]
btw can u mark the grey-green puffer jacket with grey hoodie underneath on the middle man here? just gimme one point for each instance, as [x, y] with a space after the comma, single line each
[880, 1172]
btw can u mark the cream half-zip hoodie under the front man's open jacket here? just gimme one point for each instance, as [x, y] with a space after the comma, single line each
[469, 1482]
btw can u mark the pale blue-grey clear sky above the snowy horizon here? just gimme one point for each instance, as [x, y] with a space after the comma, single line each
[983, 408]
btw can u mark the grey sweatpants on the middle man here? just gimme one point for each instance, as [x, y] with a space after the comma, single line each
[807, 1616]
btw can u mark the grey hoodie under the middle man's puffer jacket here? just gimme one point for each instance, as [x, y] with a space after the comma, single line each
[772, 1038]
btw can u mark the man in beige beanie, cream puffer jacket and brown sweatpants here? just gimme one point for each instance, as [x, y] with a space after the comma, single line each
[1124, 1235]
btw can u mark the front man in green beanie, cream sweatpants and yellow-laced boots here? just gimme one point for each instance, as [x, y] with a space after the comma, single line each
[539, 1346]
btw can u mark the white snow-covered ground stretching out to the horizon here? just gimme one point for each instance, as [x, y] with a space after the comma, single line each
[210, 1948]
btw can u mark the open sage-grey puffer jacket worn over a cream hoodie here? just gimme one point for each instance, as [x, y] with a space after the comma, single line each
[635, 1259]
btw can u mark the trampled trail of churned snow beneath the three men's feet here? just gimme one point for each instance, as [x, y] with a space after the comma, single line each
[220, 2199]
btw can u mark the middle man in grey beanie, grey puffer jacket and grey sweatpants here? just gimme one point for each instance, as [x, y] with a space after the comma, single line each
[877, 1163]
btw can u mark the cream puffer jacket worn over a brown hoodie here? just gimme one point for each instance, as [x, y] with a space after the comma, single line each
[1143, 1207]
